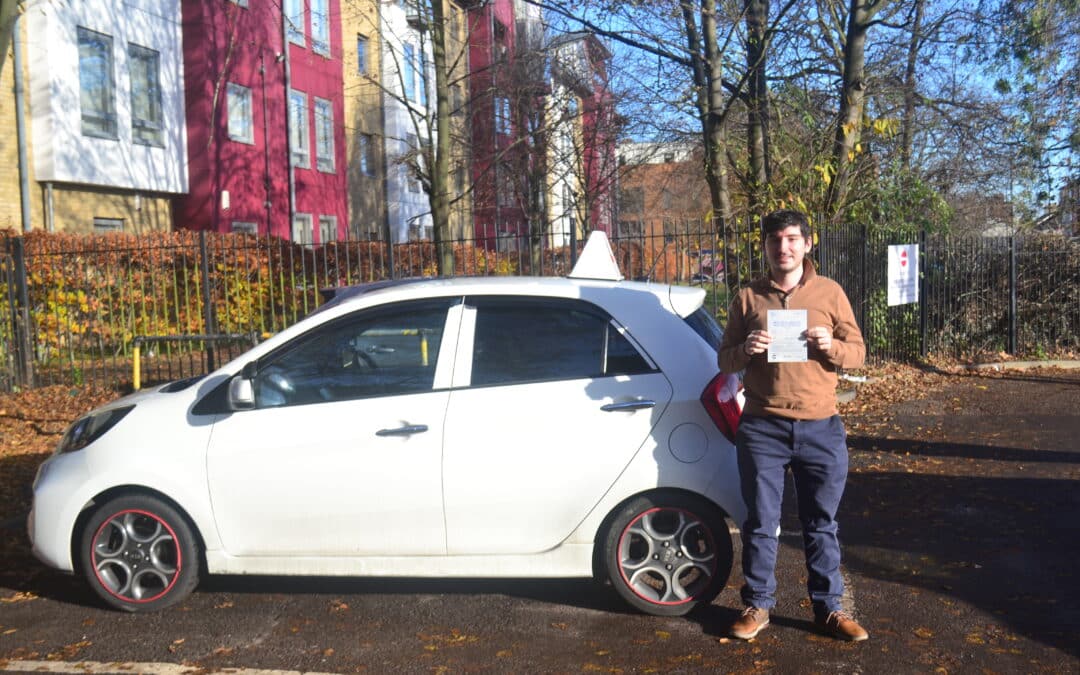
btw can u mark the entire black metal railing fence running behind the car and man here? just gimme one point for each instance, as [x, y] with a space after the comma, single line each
[76, 308]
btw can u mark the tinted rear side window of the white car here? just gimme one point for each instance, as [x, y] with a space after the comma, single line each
[523, 340]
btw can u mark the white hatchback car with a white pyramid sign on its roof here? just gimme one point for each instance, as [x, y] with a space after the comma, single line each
[494, 427]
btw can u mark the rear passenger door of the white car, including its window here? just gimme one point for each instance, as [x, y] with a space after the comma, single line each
[551, 402]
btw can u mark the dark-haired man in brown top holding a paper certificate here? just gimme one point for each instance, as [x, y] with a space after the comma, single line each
[791, 420]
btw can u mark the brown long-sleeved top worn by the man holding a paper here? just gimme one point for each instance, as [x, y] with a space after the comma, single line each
[793, 390]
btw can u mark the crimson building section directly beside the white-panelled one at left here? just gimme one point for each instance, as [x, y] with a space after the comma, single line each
[265, 111]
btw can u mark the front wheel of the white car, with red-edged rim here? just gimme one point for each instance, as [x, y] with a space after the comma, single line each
[139, 555]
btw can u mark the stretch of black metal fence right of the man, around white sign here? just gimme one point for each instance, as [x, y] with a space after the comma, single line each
[979, 298]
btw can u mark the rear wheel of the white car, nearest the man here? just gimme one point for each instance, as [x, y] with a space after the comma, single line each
[667, 553]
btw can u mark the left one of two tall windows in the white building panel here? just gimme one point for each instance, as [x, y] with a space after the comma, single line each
[97, 86]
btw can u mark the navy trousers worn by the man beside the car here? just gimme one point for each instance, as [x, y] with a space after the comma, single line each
[817, 452]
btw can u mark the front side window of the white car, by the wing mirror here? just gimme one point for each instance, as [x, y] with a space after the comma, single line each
[380, 353]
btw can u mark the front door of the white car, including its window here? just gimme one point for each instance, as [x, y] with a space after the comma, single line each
[343, 454]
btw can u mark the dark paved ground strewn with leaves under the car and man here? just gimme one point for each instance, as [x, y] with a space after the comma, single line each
[962, 531]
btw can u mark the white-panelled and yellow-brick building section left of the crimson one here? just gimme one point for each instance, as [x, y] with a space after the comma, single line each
[80, 174]
